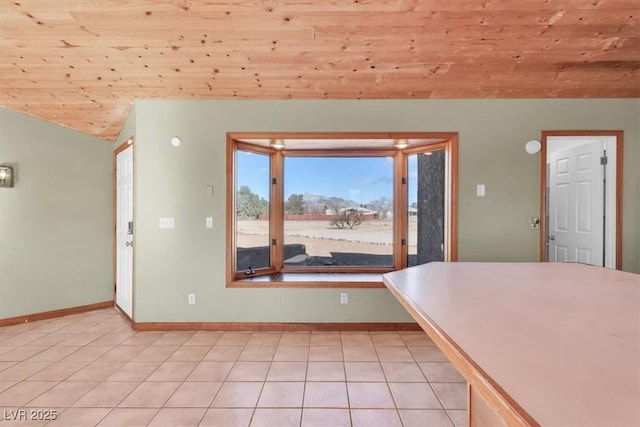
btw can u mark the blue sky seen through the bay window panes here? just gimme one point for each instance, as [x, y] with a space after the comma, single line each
[361, 179]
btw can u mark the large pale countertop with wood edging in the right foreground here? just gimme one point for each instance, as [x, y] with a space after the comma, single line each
[562, 340]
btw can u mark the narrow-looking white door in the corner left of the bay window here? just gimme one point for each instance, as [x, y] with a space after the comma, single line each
[124, 230]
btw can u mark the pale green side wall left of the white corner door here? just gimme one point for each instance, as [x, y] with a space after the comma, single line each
[56, 224]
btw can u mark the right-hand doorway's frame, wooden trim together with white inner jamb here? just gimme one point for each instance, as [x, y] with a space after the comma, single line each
[613, 241]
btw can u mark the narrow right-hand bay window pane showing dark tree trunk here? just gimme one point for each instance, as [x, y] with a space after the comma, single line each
[426, 194]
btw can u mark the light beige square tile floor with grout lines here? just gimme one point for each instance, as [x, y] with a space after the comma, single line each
[92, 369]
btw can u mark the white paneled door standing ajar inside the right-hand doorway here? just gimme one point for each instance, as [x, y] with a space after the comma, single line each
[576, 199]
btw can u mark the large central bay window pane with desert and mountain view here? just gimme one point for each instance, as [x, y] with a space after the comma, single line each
[338, 211]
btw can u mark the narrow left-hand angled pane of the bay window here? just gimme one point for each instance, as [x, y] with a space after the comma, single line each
[252, 211]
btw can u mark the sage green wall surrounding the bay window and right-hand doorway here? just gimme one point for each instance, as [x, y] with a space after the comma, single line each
[170, 182]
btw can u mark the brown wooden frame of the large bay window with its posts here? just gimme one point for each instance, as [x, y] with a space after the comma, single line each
[278, 275]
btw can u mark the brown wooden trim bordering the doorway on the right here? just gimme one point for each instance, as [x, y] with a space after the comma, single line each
[619, 135]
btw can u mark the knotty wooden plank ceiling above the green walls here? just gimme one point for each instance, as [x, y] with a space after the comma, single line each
[81, 63]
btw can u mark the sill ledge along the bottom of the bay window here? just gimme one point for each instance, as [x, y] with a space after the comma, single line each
[311, 280]
